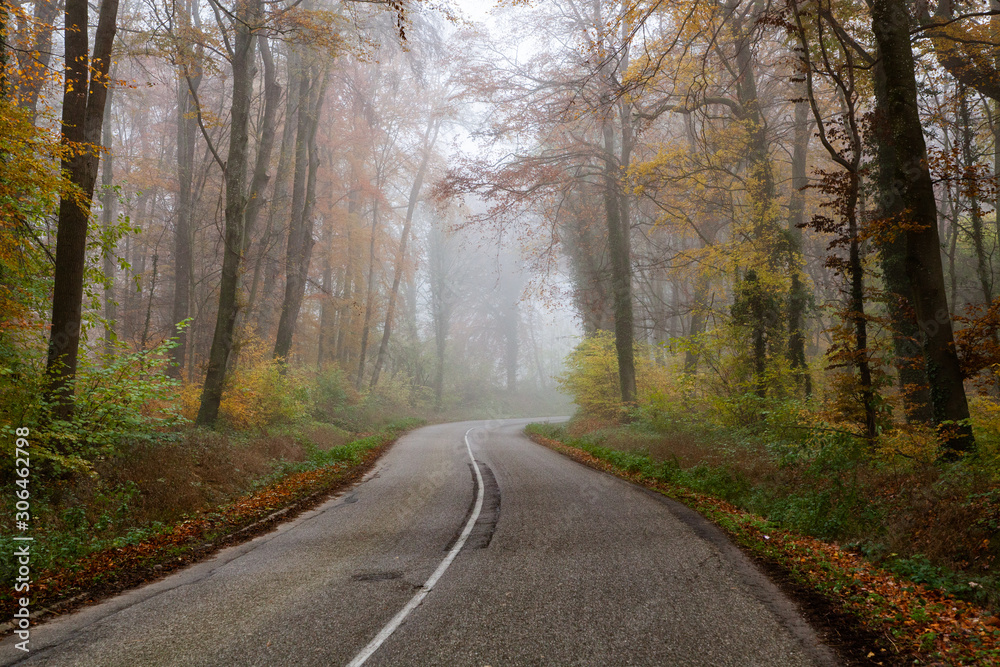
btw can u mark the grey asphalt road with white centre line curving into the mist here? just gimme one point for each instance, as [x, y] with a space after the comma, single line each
[560, 565]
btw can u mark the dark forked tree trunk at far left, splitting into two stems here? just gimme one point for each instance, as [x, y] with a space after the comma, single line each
[84, 97]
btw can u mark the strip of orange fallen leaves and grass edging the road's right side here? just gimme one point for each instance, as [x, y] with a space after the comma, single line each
[878, 617]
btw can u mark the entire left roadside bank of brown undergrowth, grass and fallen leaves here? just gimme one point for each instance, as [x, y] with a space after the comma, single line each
[152, 510]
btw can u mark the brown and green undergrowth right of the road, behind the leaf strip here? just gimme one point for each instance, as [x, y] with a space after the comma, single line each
[931, 526]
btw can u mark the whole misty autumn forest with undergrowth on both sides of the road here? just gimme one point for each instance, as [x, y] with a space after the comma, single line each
[756, 240]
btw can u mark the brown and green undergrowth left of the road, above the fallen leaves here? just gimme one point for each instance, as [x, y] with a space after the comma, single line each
[109, 513]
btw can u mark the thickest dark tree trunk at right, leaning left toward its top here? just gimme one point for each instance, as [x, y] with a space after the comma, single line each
[915, 205]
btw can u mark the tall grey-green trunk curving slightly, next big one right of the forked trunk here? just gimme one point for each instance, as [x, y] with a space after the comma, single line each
[247, 15]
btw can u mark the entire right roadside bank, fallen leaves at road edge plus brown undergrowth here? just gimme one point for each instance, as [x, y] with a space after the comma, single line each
[926, 613]
